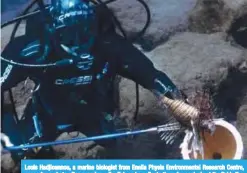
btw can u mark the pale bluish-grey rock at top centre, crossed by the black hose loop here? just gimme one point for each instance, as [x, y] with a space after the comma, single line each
[167, 18]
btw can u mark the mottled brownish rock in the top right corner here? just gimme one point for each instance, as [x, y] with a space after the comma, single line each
[210, 16]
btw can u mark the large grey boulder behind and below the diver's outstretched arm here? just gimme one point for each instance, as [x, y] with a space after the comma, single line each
[192, 61]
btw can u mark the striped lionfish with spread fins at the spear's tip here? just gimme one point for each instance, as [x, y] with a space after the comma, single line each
[195, 116]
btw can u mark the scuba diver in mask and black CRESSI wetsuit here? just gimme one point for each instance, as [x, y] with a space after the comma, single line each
[79, 95]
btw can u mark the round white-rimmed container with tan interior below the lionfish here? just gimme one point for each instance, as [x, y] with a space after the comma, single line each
[225, 143]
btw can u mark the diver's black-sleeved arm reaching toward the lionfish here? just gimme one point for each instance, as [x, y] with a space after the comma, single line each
[134, 65]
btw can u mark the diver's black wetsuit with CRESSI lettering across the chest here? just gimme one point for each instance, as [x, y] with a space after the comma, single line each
[80, 94]
